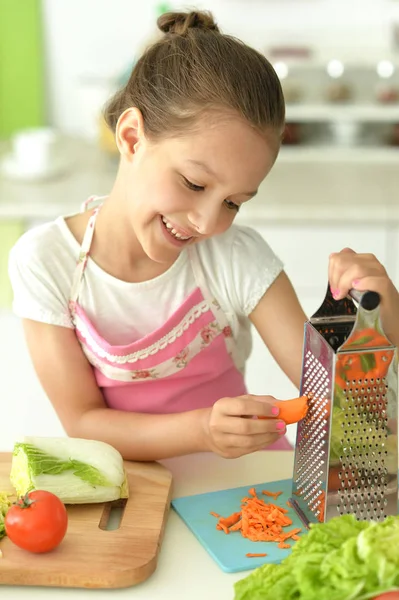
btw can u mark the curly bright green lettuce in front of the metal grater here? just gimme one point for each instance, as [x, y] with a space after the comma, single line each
[343, 559]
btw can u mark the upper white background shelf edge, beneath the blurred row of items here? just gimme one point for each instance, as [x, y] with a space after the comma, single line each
[315, 113]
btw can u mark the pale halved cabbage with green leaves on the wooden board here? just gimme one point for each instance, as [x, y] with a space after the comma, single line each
[76, 470]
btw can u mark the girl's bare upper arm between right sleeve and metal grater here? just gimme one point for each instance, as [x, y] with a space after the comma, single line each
[280, 320]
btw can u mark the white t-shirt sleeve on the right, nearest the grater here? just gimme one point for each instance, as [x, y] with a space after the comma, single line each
[254, 268]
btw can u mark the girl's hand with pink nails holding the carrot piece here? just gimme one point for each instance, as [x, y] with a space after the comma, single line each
[231, 430]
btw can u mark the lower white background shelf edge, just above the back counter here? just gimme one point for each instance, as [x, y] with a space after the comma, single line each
[325, 154]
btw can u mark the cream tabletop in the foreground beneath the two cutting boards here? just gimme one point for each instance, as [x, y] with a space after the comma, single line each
[185, 569]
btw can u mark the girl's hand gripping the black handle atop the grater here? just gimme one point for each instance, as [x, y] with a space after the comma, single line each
[363, 272]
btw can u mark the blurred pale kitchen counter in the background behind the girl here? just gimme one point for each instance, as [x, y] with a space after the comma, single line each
[336, 191]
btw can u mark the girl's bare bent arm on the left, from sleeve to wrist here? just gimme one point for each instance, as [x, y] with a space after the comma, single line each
[68, 380]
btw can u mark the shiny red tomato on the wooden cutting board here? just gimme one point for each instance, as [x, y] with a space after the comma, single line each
[37, 522]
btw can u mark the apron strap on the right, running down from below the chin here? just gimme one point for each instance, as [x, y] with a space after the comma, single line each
[214, 305]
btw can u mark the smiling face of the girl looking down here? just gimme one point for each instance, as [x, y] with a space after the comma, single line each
[182, 190]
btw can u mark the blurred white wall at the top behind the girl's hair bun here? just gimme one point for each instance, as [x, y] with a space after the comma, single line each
[98, 39]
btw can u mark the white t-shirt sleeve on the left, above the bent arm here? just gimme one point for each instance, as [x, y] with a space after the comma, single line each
[40, 278]
